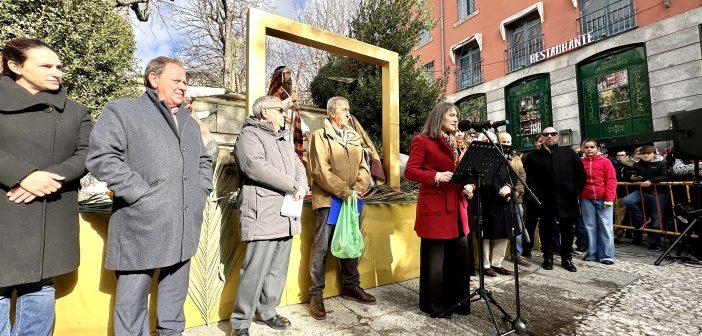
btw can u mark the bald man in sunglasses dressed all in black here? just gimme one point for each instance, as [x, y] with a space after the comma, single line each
[557, 177]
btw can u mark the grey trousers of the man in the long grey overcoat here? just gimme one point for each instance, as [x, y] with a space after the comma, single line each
[131, 315]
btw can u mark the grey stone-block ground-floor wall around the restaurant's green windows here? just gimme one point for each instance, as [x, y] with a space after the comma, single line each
[674, 63]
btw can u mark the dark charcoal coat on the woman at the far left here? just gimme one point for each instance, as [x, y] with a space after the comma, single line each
[45, 132]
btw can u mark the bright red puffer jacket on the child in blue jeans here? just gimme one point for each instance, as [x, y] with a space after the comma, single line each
[601, 182]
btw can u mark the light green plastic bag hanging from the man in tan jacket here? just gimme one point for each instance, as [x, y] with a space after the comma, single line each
[347, 242]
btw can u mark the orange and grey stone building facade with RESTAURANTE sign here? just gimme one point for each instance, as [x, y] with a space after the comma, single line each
[606, 69]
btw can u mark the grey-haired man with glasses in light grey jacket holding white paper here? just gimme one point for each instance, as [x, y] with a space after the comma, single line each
[270, 170]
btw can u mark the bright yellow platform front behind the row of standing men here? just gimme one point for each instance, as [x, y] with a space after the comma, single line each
[85, 298]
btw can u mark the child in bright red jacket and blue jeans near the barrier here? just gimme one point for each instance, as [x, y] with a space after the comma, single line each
[596, 203]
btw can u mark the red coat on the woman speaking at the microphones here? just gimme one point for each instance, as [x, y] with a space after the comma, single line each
[440, 208]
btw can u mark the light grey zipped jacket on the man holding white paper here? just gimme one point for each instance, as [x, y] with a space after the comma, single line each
[269, 169]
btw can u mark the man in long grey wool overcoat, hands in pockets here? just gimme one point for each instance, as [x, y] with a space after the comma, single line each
[149, 152]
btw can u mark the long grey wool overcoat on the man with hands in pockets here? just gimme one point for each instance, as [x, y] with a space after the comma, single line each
[160, 176]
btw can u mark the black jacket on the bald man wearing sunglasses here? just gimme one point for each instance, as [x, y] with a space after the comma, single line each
[557, 177]
